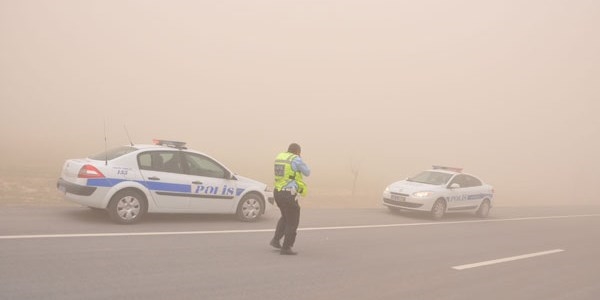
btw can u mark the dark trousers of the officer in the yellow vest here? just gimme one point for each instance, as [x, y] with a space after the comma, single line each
[290, 218]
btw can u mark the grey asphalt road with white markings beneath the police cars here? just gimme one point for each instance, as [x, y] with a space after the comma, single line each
[517, 253]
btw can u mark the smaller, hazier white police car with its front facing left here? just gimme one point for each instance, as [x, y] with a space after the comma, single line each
[438, 191]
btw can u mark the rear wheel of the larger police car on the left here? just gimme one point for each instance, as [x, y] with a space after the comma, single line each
[127, 207]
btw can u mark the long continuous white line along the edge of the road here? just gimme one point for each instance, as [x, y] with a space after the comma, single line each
[39, 236]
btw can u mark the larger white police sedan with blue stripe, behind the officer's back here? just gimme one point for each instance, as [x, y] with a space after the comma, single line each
[165, 177]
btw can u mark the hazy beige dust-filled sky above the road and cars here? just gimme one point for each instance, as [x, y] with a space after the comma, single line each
[507, 89]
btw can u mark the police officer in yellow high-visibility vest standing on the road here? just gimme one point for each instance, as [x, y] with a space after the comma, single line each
[289, 169]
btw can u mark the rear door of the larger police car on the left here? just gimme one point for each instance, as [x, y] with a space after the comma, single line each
[163, 175]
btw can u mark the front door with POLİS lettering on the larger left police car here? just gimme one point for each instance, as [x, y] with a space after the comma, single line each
[213, 188]
